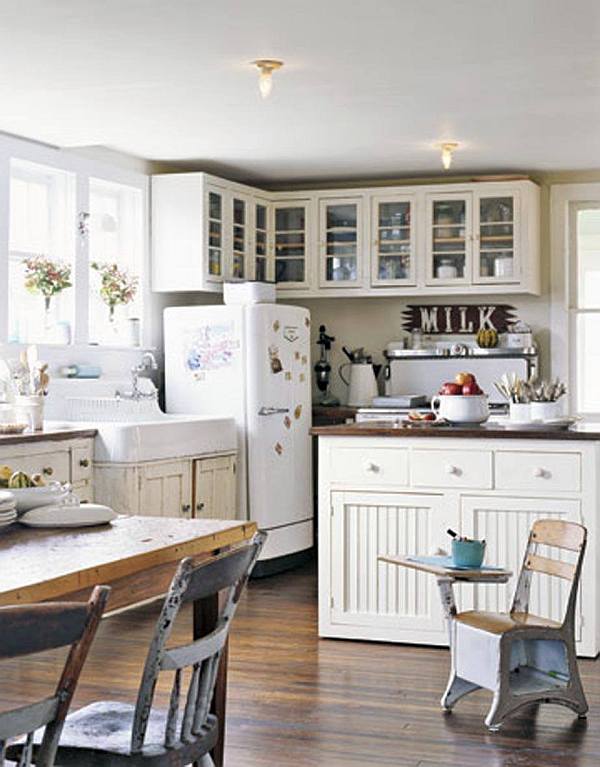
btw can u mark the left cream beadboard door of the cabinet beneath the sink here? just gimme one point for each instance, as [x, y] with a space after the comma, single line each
[165, 489]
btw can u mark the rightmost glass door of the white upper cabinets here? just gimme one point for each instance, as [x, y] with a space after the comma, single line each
[496, 238]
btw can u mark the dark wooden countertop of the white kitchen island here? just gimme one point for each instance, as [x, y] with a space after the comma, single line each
[582, 431]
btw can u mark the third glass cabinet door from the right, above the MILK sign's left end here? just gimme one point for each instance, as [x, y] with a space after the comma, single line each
[393, 250]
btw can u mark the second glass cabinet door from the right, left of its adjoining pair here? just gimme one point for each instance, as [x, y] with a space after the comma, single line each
[450, 239]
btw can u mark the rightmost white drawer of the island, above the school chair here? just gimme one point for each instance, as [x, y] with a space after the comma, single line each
[538, 471]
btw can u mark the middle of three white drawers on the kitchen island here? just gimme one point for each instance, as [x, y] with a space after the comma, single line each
[451, 468]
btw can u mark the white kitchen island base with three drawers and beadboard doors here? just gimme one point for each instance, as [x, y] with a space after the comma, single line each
[400, 497]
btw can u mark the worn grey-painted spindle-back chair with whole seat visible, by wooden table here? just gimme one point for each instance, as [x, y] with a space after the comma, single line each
[115, 734]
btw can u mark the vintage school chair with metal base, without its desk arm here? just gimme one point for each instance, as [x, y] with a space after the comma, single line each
[524, 658]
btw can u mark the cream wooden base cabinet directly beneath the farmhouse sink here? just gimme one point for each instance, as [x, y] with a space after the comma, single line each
[195, 486]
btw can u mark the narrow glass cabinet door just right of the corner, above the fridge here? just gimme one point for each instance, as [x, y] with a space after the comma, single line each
[290, 234]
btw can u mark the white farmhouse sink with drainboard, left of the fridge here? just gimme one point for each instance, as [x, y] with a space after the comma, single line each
[131, 432]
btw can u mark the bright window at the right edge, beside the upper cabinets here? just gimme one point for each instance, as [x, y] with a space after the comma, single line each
[585, 304]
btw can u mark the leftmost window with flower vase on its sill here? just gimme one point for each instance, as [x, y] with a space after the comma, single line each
[41, 253]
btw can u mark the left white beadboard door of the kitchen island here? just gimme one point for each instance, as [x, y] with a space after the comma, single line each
[373, 596]
